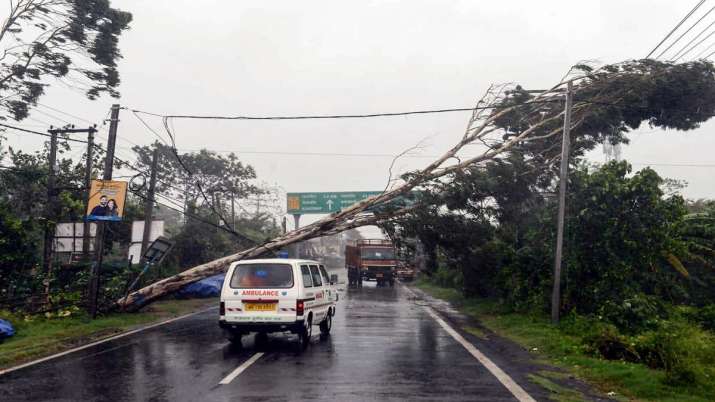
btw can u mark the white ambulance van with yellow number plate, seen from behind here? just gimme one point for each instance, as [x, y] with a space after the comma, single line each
[277, 295]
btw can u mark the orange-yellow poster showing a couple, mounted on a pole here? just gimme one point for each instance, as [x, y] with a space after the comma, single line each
[106, 200]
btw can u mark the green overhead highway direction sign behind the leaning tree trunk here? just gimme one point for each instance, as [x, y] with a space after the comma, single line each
[325, 203]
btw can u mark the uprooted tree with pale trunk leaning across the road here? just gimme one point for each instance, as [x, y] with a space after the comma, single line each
[632, 92]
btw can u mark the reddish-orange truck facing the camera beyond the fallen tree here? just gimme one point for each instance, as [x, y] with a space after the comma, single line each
[371, 259]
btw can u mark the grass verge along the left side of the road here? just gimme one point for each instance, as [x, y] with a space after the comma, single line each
[38, 336]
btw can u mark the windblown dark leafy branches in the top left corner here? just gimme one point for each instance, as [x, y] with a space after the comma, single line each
[53, 40]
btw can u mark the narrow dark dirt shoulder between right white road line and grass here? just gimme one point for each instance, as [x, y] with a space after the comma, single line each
[526, 366]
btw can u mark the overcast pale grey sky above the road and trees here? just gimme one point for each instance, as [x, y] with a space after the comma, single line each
[329, 57]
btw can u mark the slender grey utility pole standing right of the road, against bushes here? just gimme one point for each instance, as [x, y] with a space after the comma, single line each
[563, 181]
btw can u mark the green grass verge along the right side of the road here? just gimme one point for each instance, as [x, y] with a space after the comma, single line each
[629, 381]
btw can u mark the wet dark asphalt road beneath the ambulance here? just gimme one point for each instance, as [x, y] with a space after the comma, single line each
[383, 346]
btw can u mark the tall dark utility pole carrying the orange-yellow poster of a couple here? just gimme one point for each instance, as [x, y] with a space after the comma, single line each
[99, 240]
